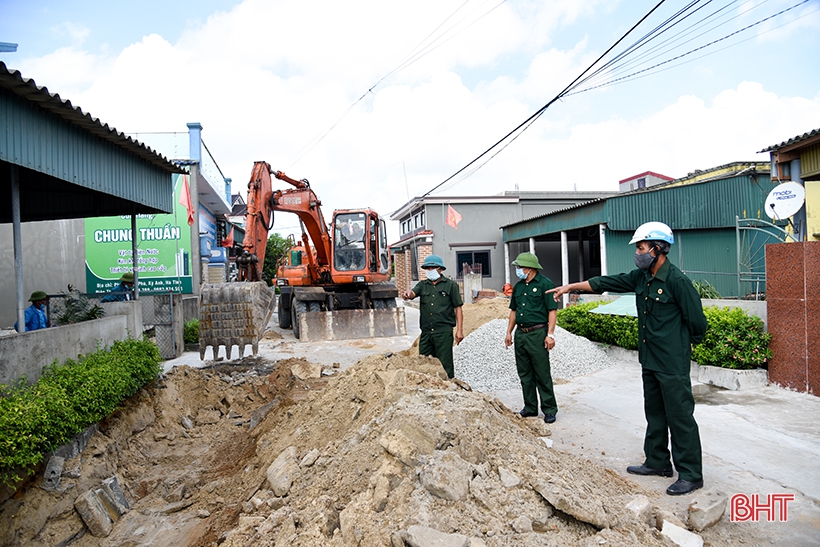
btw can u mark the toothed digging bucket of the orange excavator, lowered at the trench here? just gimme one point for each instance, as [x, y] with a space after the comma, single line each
[233, 314]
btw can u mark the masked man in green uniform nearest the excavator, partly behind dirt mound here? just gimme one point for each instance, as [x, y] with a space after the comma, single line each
[439, 312]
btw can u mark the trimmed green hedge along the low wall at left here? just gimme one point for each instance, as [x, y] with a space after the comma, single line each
[39, 418]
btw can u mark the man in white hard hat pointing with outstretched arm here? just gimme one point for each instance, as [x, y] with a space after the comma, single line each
[670, 320]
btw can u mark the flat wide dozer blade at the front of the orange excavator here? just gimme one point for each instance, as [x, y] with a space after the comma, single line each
[347, 324]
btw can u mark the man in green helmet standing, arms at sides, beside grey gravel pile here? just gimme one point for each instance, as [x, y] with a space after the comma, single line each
[533, 311]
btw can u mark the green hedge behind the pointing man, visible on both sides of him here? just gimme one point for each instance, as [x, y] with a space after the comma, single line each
[733, 338]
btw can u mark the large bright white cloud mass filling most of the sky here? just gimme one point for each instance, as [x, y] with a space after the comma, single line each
[268, 77]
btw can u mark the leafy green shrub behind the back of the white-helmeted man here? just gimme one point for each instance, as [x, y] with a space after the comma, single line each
[733, 340]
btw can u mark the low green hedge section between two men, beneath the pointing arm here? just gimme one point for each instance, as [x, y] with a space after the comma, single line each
[616, 330]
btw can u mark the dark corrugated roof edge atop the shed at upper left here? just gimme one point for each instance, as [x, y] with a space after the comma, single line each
[12, 80]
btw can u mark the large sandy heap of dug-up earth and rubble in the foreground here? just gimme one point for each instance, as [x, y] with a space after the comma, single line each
[386, 453]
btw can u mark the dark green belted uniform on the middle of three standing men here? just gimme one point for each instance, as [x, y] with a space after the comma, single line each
[532, 305]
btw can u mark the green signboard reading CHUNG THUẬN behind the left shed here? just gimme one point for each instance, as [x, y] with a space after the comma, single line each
[163, 249]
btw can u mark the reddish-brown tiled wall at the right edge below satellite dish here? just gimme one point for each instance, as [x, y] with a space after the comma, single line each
[793, 306]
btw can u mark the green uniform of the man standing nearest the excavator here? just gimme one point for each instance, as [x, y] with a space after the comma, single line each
[437, 317]
